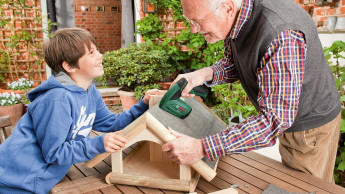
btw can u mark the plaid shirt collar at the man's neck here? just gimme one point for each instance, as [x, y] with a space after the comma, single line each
[242, 18]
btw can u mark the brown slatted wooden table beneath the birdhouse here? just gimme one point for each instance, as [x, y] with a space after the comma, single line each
[251, 171]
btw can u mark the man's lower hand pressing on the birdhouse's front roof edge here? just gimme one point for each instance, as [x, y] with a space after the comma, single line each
[184, 149]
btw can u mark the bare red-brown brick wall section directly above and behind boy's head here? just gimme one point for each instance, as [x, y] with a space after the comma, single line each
[104, 25]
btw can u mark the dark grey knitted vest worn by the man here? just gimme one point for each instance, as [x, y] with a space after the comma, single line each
[319, 99]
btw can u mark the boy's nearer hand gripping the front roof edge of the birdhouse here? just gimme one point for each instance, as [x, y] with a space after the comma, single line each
[114, 142]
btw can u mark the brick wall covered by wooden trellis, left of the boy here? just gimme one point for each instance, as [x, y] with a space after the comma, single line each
[23, 63]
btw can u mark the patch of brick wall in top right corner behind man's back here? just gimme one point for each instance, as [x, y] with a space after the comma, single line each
[320, 13]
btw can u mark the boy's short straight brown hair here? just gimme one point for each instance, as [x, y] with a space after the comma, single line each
[67, 44]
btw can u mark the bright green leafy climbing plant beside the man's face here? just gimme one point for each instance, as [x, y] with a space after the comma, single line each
[199, 54]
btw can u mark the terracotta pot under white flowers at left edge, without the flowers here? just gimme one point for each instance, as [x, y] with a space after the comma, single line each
[15, 111]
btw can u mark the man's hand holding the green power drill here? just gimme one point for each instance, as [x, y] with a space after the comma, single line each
[194, 79]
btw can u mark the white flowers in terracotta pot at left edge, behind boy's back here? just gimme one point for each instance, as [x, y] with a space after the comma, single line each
[10, 104]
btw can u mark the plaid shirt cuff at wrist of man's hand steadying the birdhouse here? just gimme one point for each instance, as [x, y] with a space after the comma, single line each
[214, 146]
